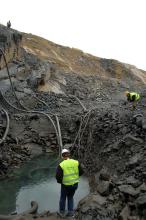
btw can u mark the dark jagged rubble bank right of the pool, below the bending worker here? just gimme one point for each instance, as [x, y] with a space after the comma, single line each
[114, 154]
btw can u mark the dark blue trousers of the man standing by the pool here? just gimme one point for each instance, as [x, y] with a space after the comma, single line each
[67, 192]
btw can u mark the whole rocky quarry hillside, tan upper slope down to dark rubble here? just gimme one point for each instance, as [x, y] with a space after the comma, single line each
[97, 124]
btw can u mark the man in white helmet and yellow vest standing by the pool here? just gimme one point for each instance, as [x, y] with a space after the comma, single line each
[67, 174]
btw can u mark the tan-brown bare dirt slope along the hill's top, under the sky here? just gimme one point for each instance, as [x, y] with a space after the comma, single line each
[71, 59]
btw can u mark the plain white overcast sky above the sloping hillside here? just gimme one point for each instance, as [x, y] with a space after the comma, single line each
[113, 29]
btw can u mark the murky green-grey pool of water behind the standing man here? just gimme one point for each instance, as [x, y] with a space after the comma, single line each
[35, 181]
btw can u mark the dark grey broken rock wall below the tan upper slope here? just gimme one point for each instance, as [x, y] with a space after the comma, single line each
[104, 134]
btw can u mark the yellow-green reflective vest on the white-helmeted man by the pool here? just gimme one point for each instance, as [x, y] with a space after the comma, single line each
[70, 171]
